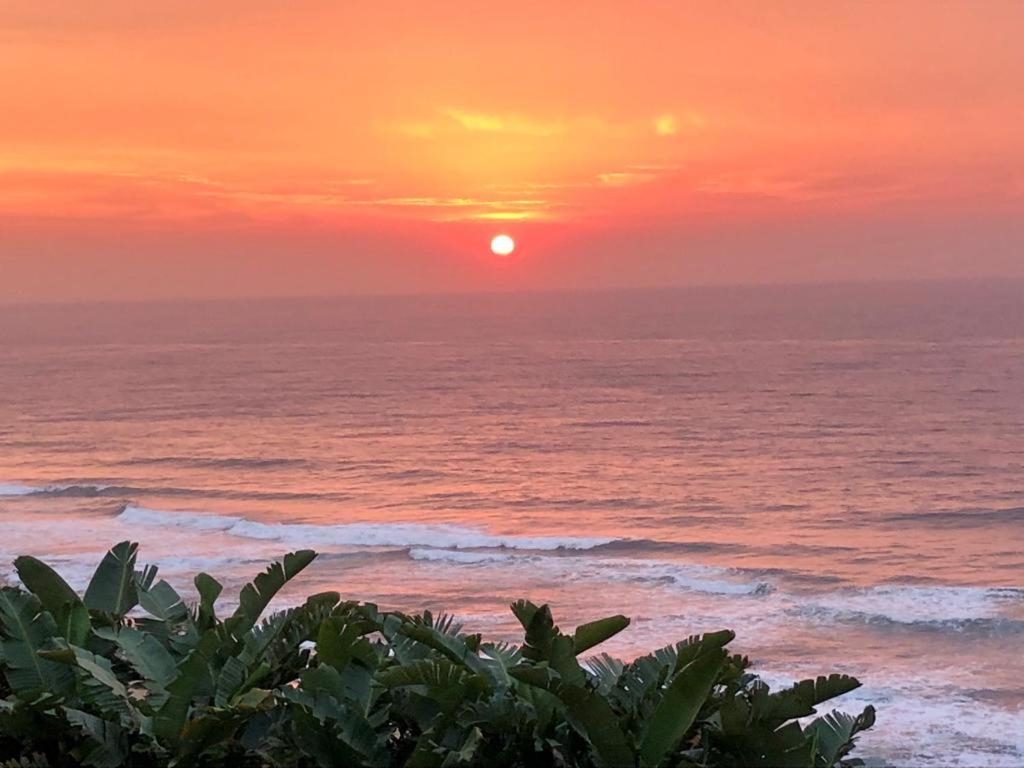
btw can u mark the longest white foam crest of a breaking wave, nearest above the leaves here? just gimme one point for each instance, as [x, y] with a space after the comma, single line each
[356, 535]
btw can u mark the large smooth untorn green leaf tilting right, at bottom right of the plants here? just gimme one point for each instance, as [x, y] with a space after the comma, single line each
[679, 707]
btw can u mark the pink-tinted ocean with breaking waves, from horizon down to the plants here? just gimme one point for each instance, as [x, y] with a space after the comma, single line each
[836, 473]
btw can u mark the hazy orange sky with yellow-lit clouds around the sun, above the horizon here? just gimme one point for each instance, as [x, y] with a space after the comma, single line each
[252, 148]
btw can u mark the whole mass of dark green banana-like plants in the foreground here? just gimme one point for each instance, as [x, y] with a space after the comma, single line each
[130, 675]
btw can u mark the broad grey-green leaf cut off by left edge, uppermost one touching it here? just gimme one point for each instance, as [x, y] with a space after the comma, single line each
[26, 630]
